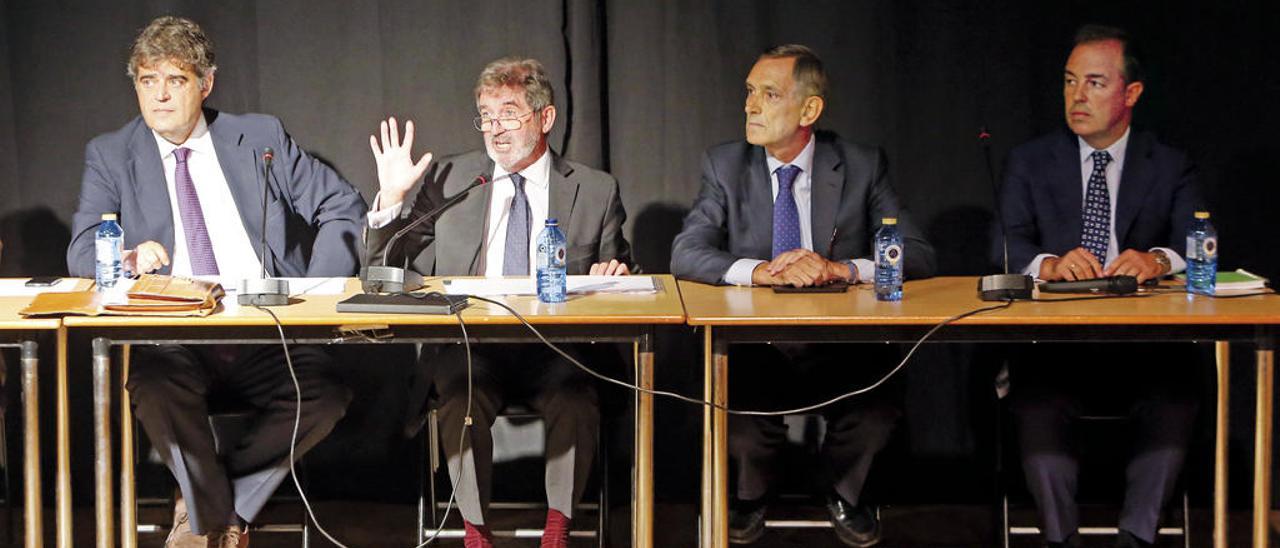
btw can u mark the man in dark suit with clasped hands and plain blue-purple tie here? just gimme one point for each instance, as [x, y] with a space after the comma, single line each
[798, 208]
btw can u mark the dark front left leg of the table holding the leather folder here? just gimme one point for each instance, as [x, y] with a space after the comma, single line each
[103, 479]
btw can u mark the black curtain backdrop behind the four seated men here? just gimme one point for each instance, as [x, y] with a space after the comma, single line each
[644, 88]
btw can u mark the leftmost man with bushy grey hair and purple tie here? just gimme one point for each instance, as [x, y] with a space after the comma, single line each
[188, 185]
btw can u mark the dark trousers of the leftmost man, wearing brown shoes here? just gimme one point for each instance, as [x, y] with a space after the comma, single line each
[172, 387]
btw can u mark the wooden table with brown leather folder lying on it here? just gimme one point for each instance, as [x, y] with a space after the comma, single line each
[314, 321]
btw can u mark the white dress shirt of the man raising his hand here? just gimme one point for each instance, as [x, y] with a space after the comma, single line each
[538, 177]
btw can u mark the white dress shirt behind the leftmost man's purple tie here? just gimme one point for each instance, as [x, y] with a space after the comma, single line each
[232, 245]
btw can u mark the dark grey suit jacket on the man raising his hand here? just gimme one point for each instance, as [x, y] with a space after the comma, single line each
[584, 200]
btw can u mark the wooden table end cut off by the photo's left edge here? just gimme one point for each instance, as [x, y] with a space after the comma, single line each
[24, 334]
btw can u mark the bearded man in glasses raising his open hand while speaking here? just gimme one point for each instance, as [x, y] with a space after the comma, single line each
[492, 232]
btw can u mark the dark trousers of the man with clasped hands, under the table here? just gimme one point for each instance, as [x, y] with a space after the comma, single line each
[776, 377]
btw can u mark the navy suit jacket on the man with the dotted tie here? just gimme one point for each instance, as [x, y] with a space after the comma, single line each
[1043, 198]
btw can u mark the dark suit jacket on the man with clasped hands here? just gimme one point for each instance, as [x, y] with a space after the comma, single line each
[733, 217]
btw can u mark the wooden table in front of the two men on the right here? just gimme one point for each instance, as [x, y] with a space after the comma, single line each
[738, 314]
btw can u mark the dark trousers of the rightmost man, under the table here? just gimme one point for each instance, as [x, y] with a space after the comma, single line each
[1154, 386]
